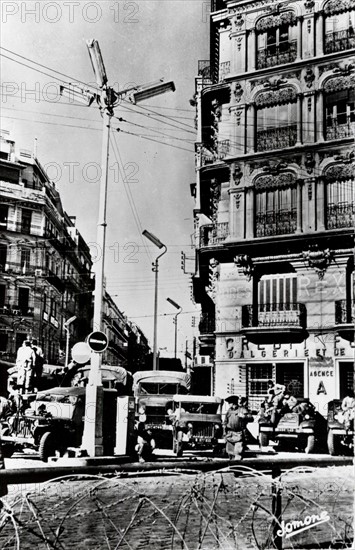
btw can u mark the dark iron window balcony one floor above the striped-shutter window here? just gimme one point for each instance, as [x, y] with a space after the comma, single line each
[282, 222]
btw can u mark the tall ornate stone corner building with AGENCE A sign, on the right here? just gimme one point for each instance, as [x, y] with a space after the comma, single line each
[274, 197]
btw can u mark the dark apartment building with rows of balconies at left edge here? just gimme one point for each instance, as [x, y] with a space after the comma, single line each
[45, 265]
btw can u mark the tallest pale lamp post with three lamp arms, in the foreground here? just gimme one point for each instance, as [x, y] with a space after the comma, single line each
[107, 99]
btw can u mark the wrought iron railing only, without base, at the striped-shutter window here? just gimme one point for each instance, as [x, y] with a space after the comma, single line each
[278, 315]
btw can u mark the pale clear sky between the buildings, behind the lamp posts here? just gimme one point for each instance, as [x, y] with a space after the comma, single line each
[141, 42]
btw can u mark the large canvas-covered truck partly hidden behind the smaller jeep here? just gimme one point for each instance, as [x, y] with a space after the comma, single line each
[153, 390]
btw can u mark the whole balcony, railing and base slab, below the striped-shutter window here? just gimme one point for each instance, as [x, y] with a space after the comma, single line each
[287, 319]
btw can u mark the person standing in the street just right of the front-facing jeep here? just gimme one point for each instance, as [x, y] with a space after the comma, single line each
[235, 422]
